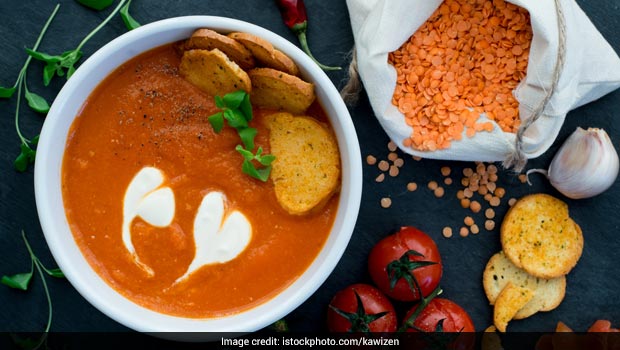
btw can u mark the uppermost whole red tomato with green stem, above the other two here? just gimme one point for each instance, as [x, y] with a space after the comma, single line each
[395, 248]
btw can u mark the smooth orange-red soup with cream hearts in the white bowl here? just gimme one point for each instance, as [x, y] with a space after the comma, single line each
[144, 115]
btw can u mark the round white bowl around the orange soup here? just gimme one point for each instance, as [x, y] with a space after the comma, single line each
[60, 239]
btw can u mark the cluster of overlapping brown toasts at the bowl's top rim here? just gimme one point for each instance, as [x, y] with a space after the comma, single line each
[219, 64]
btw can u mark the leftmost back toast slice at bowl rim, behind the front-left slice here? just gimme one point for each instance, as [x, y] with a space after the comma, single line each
[207, 39]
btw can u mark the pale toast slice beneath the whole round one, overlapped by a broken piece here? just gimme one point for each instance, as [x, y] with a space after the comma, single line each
[548, 294]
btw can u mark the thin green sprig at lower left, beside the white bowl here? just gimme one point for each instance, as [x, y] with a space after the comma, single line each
[22, 280]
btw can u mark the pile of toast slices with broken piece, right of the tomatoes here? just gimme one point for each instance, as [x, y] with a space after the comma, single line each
[541, 244]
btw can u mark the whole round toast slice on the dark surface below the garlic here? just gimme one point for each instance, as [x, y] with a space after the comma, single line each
[538, 236]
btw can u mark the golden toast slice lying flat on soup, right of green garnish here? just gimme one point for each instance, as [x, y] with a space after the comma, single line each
[306, 171]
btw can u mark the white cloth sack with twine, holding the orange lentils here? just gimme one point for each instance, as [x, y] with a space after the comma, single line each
[570, 64]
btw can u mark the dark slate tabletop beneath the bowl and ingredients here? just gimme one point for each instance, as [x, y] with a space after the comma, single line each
[593, 286]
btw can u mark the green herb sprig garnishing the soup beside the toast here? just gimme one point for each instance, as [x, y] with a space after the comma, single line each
[236, 109]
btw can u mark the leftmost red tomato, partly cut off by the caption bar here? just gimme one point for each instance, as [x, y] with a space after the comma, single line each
[375, 314]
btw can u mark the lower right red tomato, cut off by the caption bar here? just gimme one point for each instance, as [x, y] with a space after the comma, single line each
[443, 315]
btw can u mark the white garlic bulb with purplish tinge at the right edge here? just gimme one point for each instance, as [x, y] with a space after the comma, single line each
[585, 166]
